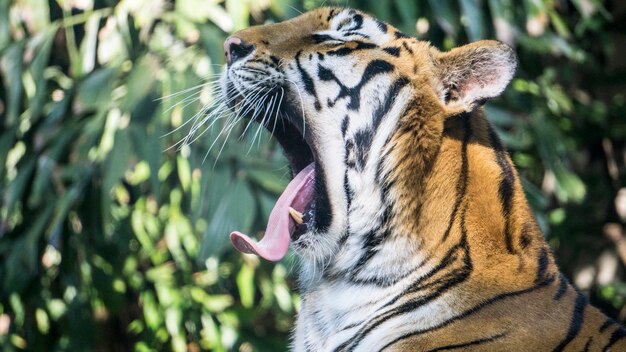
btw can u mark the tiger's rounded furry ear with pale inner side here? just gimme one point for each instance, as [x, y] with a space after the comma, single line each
[472, 73]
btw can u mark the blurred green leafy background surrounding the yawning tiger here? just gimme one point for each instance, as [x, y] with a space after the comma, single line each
[114, 235]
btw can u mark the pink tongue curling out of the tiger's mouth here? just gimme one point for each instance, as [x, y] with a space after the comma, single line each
[275, 243]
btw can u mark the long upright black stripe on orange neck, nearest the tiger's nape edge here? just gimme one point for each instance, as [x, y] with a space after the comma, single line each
[506, 189]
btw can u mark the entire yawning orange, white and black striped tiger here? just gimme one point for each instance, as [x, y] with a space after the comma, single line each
[405, 209]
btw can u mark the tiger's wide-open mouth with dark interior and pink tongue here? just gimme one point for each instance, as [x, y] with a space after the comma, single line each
[294, 213]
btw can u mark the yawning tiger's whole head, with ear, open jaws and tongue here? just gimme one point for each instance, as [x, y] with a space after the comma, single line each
[351, 100]
